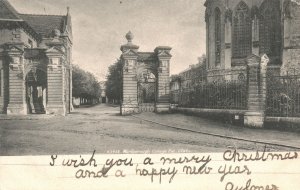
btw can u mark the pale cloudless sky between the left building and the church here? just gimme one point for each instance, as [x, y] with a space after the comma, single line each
[100, 26]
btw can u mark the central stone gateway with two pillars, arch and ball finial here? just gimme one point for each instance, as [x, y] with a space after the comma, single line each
[145, 78]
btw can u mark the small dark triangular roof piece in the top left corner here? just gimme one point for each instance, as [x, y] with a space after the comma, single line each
[8, 12]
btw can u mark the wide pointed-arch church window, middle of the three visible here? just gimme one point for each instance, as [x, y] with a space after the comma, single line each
[241, 43]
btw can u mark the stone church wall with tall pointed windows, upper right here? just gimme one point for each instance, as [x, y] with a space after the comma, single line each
[238, 29]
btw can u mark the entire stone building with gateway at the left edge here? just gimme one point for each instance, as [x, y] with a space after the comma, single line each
[35, 62]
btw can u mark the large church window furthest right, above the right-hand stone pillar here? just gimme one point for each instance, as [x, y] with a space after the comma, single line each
[270, 28]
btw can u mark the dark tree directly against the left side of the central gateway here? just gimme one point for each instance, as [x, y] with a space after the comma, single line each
[114, 84]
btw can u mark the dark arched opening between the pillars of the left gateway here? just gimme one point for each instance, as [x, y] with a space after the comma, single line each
[36, 90]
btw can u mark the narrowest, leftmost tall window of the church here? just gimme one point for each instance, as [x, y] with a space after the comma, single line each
[218, 36]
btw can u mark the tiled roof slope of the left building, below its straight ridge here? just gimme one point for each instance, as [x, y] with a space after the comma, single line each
[45, 24]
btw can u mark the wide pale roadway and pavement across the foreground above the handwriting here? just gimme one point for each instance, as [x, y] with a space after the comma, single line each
[101, 128]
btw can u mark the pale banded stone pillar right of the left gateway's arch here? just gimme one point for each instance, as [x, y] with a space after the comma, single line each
[56, 83]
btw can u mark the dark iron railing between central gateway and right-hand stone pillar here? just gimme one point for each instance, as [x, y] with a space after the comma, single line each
[213, 95]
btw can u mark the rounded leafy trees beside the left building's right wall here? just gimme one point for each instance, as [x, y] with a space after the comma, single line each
[85, 85]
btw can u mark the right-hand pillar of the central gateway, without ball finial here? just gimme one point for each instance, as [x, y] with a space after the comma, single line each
[163, 79]
